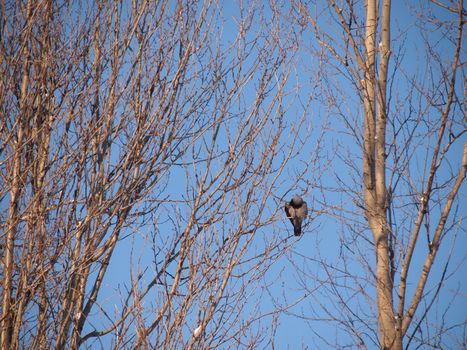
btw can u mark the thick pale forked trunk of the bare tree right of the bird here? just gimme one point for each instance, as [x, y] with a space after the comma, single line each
[374, 166]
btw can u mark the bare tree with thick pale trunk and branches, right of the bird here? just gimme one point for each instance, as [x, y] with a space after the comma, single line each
[407, 174]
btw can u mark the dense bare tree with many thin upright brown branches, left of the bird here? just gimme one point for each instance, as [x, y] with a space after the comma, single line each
[132, 127]
